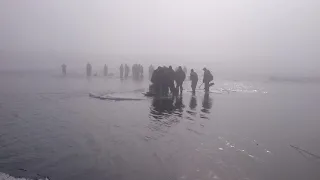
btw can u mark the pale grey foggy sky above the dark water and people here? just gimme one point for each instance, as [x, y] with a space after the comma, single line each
[266, 34]
